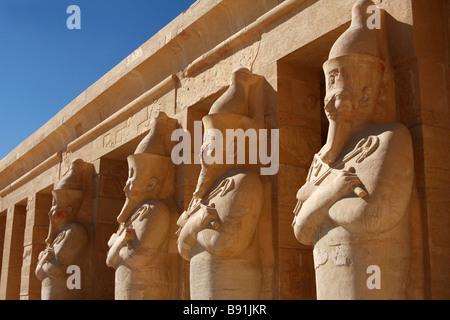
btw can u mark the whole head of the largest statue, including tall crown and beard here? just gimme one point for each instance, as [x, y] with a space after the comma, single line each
[353, 74]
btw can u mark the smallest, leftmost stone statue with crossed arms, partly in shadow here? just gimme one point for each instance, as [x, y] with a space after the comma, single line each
[60, 265]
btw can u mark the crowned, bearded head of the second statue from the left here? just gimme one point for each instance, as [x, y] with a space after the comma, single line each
[150, 170]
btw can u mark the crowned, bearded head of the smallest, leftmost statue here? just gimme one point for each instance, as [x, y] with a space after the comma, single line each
[68, 196]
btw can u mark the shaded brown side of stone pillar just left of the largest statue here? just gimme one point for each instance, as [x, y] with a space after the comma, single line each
[300, 137]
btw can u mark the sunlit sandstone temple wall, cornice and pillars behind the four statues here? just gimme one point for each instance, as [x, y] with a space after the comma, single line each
[182, 71]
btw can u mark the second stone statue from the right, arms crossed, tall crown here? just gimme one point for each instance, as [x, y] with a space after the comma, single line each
[219, 231]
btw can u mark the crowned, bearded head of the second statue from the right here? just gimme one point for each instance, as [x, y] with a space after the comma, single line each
[229, 112]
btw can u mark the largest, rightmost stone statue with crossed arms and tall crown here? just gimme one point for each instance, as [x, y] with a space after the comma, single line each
[354, 205]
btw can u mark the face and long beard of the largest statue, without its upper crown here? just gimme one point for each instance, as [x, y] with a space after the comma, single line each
[352, 84]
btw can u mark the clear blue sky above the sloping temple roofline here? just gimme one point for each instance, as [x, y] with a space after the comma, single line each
[44, 65]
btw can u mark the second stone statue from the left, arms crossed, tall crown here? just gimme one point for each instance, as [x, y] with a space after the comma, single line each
[139, 249]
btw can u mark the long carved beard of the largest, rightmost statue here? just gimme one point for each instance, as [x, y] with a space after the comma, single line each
[338, 134]
